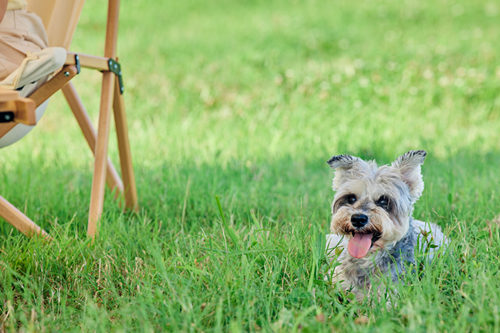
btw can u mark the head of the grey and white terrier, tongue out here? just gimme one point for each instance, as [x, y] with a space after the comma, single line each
[372, 205]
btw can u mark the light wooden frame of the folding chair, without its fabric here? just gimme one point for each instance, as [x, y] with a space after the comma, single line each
[111, 98]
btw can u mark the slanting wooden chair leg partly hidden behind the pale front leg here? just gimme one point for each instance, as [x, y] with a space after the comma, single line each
[112, 178]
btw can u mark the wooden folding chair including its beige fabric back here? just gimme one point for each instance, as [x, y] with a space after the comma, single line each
[60, 18]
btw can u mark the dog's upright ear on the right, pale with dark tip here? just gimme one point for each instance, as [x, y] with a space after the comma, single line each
[408, 166]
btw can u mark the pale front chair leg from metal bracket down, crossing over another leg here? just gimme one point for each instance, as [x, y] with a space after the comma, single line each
[101, 153]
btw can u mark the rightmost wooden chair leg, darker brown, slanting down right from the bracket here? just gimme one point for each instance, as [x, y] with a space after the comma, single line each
[124, 149]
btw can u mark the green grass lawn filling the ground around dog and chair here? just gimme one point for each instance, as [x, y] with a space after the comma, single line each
[242, 102]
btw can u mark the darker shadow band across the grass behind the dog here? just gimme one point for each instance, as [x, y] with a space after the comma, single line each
[283, 190]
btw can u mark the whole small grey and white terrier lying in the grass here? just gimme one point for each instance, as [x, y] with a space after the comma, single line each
[372, 219]
